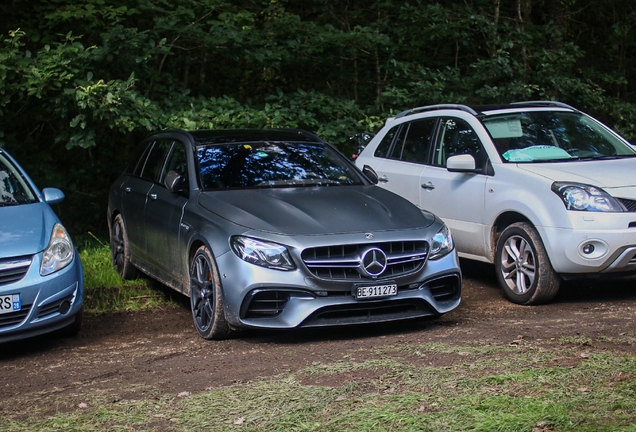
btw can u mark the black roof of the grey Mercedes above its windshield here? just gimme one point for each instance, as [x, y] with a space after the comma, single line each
[221, 136]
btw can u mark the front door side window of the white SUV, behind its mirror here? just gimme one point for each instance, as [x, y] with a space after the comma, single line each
[457, 137]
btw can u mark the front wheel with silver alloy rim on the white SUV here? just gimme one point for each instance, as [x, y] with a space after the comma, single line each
[523, 267]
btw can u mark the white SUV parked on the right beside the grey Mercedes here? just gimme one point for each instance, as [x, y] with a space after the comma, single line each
[540, 189]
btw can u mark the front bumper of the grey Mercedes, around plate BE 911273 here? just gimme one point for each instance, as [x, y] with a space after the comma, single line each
[262, 298]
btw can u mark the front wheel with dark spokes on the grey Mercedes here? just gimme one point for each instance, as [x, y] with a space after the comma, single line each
[206, 297]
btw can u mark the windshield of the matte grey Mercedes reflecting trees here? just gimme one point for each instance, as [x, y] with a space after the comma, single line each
[272, 164]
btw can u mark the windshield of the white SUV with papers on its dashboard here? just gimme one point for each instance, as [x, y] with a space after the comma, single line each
[549, 136]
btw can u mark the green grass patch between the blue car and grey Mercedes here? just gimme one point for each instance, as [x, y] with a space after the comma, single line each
[105, 291]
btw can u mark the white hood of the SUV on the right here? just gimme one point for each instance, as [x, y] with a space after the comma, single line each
[617, 173]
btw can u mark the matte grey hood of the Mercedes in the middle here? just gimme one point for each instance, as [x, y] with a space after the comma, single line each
[316, 210]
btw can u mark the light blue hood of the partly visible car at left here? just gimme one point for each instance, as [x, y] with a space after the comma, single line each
[25, 229]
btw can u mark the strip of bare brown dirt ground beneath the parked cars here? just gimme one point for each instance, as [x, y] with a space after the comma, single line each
[154, 353]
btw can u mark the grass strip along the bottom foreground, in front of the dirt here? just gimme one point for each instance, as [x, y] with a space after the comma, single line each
[506, 390]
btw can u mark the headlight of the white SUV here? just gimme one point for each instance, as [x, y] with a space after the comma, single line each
[582, 197]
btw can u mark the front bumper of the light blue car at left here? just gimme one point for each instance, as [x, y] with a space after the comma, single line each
[48, 303]
